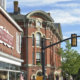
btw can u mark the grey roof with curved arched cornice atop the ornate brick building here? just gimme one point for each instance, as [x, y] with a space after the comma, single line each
[42, 14]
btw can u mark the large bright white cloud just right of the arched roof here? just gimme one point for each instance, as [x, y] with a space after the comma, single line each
[65, 17]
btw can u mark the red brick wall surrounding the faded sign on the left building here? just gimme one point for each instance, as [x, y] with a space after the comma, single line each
[12, 30]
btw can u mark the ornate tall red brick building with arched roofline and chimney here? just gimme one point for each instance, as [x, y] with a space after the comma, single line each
[38, 24]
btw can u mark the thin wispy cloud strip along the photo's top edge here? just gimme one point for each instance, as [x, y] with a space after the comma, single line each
[36, 2]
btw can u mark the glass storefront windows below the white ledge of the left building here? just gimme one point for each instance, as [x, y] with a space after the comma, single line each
[9, 71]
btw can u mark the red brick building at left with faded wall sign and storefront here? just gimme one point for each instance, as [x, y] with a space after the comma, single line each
[10, 49]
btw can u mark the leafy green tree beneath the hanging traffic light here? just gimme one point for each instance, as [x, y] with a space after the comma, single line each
[70, 60]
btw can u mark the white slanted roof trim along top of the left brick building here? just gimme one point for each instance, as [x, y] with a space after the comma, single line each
[11, 20]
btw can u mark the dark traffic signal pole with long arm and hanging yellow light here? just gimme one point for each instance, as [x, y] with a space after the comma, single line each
[73, 43]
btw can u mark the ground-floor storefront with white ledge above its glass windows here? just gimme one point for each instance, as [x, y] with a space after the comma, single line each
[9, 67]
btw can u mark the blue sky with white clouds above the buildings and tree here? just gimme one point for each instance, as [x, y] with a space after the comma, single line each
[65, 12]
